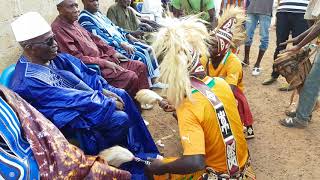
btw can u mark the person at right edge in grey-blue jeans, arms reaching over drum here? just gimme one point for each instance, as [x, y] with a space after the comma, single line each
[309, 94]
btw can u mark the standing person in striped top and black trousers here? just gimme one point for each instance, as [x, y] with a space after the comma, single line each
[290, 19]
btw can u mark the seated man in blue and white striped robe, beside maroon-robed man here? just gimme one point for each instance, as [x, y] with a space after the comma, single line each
[98, 24]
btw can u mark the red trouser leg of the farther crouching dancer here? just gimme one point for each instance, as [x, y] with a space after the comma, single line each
[243, 107]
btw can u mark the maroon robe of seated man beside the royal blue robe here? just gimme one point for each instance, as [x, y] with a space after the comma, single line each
[75, 40]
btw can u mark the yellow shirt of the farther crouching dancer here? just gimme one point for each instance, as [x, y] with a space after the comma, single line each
[230, 70]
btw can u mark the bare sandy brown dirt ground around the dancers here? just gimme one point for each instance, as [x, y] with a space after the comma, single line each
[277, 152]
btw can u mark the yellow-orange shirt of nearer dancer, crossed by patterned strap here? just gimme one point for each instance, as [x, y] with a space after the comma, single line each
[199, 129]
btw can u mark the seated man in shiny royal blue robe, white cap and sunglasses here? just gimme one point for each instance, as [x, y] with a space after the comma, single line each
[78, 101]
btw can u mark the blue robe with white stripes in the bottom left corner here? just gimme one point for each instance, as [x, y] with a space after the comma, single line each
[16, 157]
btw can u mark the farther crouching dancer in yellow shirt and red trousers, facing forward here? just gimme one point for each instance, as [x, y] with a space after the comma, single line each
[222, 62]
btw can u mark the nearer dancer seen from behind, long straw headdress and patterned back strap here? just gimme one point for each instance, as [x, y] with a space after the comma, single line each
[208, 119]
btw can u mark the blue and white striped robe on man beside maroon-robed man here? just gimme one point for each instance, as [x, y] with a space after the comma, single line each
[101, 26]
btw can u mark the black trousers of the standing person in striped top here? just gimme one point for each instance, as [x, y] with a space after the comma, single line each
[287, 23]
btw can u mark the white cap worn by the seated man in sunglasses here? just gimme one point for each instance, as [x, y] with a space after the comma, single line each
[29, 26]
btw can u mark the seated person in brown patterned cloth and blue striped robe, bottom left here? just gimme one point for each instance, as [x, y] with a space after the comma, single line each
[44, 147]
